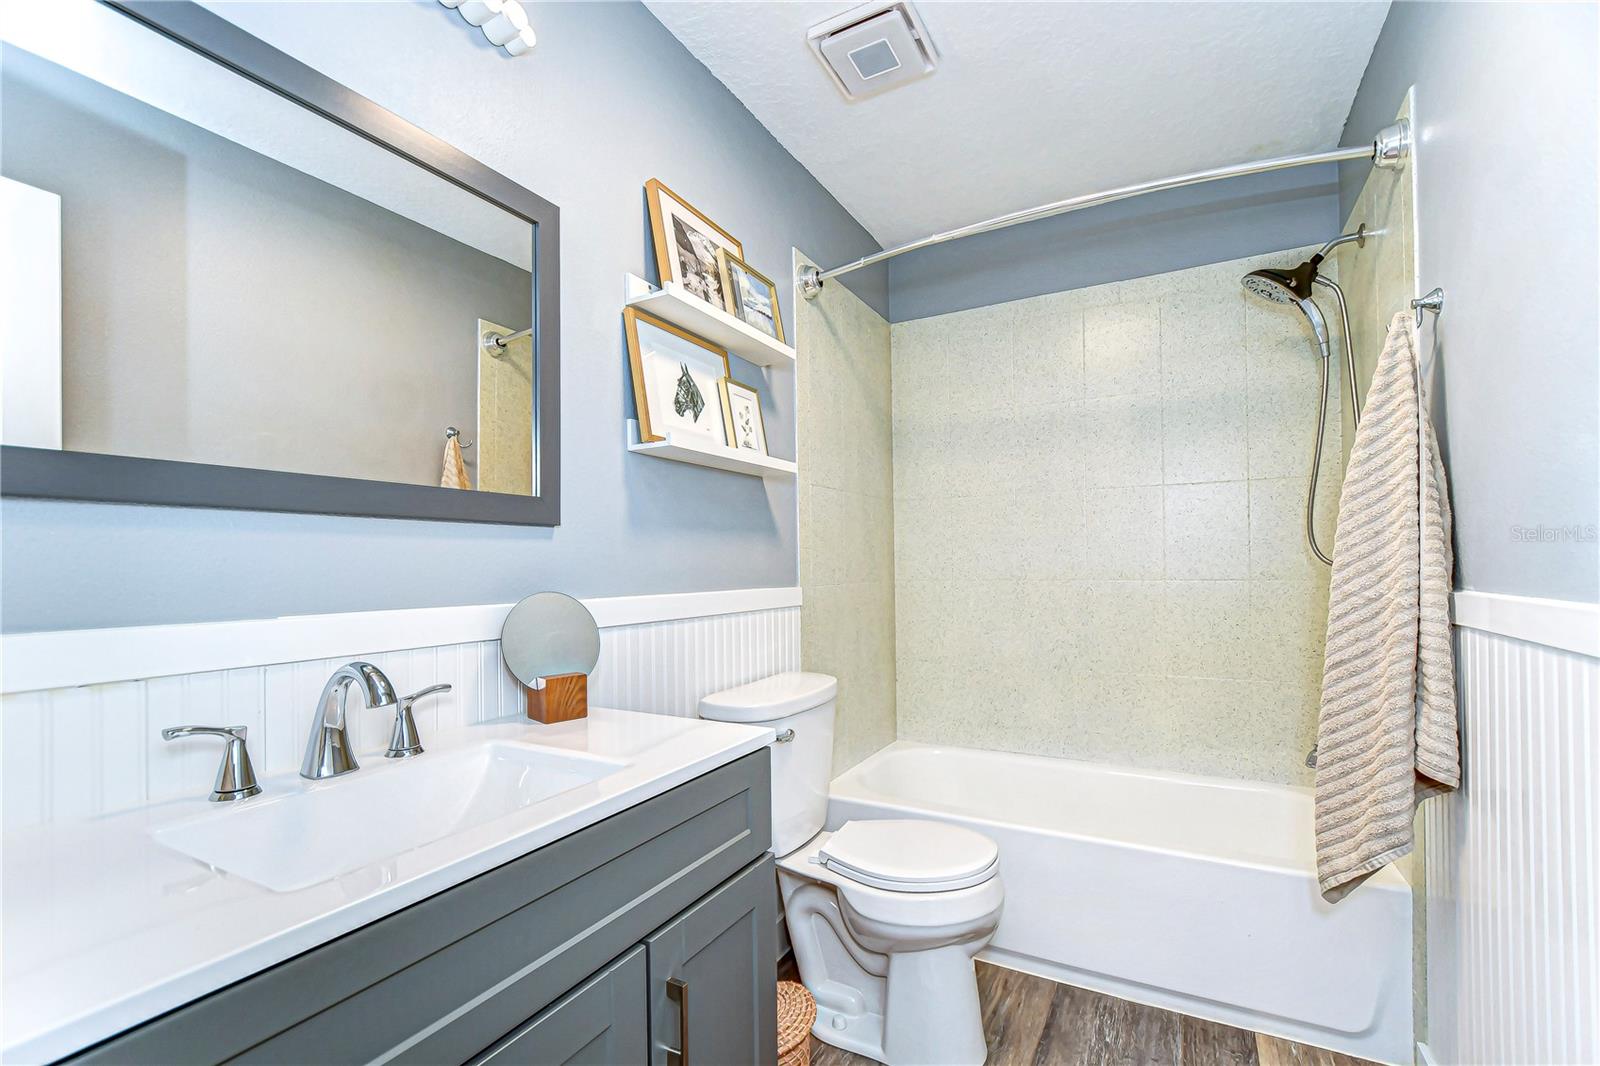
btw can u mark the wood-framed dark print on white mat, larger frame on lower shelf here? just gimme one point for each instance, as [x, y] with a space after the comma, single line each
[678, 379]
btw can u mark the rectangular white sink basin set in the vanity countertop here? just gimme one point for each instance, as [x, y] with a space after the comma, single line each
[342, 825]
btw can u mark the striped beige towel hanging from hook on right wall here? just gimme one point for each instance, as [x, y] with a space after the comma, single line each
[1386, 737]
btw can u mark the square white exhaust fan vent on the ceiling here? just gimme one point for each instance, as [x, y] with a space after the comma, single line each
[874, 49]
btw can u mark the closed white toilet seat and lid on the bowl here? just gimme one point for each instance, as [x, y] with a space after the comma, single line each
[910, 856]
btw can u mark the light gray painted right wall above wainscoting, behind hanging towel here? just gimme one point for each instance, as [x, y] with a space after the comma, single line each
[1506, 215]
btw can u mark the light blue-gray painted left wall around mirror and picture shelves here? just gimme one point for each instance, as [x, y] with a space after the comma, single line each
[607, 102]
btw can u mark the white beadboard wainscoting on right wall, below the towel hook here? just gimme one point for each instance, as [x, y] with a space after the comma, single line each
[1514, 856]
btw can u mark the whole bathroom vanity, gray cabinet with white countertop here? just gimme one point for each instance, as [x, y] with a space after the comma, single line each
[647, 936]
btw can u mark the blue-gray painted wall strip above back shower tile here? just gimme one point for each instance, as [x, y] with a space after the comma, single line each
[1153, 234]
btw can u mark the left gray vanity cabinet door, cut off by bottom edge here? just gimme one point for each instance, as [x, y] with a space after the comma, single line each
[601, 1024]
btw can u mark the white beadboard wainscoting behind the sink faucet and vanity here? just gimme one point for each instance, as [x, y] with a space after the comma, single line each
[74, 751]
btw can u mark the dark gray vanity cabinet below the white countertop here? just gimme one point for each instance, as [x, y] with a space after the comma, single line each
[561, 956]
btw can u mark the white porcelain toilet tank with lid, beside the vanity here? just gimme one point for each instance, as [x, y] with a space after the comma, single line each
[801, 708]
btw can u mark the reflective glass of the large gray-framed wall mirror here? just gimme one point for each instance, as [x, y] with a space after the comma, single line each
[247, 284]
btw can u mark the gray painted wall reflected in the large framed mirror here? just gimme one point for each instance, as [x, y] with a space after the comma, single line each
[314, 332]
